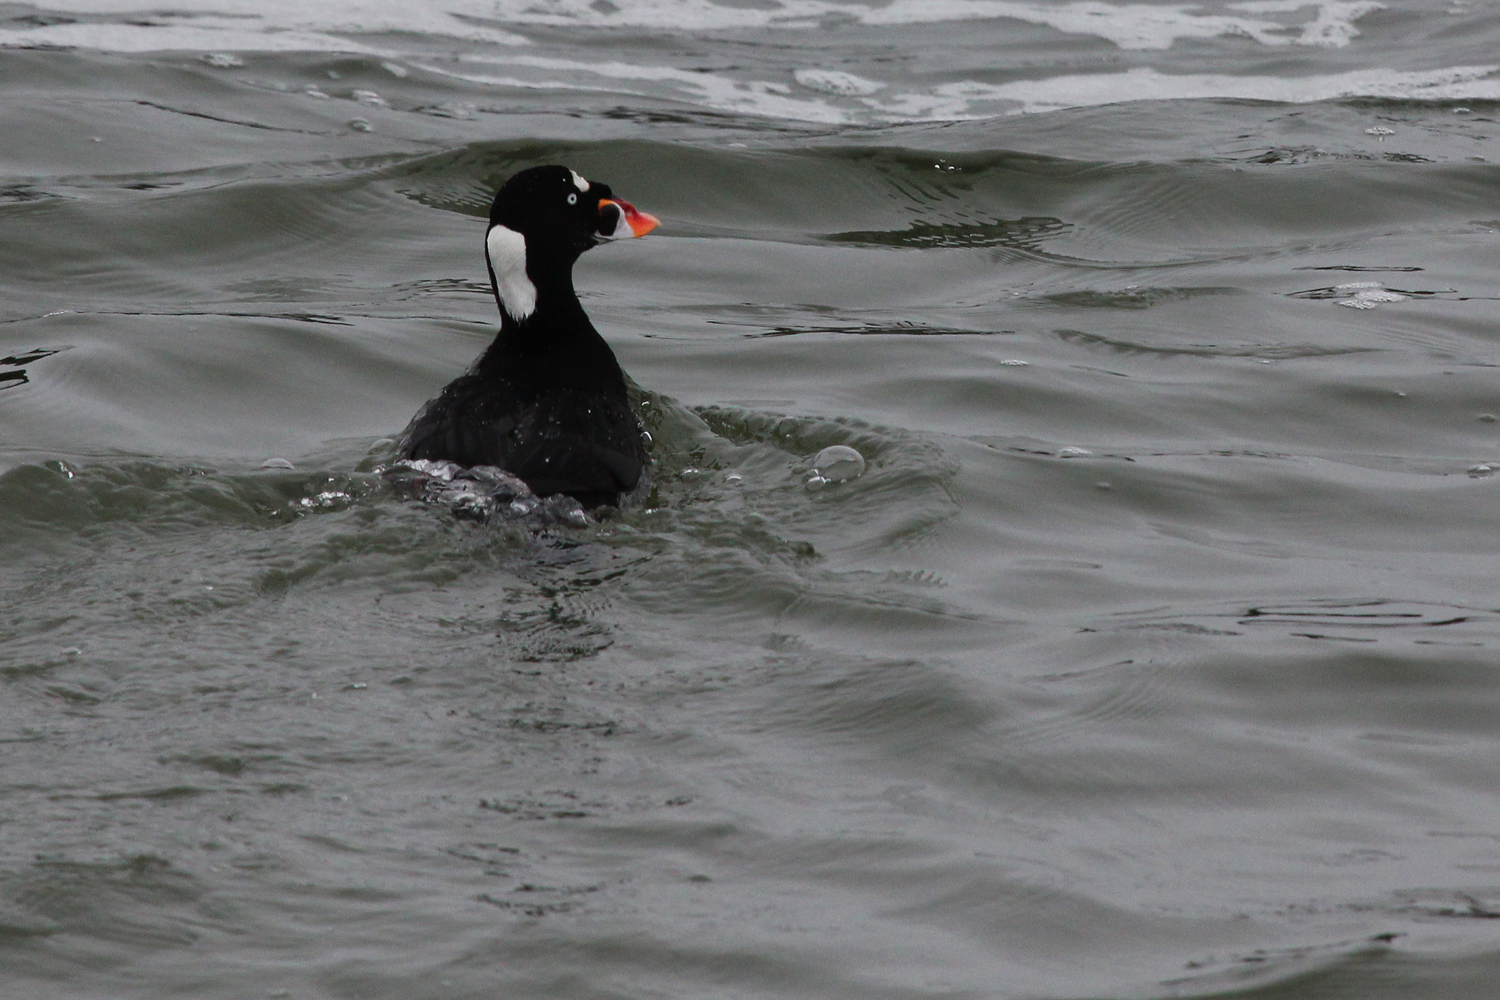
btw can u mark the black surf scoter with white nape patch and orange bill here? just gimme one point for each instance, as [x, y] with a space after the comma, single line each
[547, 401]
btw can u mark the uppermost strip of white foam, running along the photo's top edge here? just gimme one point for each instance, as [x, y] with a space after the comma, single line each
[326, 26]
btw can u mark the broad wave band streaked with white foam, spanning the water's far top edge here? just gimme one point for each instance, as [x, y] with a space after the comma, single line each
[781, 83]
